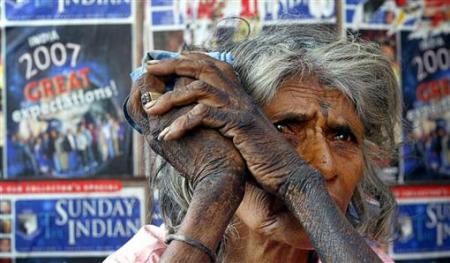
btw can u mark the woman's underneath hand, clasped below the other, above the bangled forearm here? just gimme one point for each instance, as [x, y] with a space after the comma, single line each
[194, 156]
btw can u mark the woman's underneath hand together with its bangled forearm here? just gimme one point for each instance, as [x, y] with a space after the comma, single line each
[216, 172]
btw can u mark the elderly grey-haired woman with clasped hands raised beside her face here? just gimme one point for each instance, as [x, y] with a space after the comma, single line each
[272, 156]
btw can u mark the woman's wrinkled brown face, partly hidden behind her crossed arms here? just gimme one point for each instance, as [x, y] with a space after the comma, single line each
[325, 130]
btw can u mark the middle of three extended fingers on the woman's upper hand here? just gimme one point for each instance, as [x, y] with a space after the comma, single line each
[197, 91]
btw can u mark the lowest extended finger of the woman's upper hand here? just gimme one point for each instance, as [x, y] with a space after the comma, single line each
[201, 114]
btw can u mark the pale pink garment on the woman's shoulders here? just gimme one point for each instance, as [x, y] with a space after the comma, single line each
[147, 246]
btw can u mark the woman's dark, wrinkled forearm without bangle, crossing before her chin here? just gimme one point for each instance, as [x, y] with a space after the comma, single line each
[333, 237]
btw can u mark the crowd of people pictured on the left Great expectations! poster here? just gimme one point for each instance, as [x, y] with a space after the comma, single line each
[63, 152]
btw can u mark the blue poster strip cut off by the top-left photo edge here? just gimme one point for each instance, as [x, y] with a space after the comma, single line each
[16, 10]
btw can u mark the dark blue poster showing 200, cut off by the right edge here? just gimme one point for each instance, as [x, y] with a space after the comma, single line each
[425, 60]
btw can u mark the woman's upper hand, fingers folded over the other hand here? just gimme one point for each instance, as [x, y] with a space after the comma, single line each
[221, 103]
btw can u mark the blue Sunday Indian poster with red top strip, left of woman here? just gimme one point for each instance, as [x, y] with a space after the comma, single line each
[68, 218]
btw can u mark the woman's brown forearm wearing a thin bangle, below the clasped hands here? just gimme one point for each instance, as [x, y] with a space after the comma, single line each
[214, 202]
